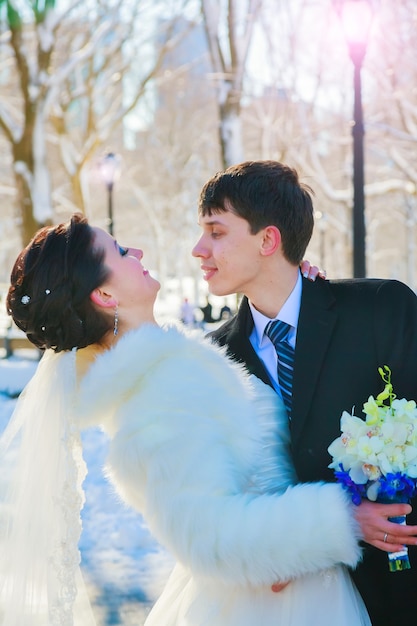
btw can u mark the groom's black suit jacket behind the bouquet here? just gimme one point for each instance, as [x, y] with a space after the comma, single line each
[346, 330]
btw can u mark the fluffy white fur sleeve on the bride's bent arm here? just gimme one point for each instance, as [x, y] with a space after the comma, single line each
[180, 468]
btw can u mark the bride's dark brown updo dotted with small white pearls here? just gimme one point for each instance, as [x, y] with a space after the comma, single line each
[51, 282]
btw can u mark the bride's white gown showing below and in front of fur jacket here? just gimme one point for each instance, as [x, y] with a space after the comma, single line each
[327, 598]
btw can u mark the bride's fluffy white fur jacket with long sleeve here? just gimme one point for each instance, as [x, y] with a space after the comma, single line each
[187, 442]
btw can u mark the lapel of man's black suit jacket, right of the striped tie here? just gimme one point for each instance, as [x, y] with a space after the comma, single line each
[315, 328]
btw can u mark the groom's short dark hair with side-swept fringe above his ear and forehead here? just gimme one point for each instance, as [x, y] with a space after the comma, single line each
[264, 193]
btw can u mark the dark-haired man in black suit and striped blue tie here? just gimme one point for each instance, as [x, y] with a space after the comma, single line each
[257, 220]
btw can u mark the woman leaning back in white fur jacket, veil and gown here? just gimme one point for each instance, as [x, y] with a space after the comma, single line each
[198, 447]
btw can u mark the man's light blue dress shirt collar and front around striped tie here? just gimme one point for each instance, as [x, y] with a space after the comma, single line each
[262, 345]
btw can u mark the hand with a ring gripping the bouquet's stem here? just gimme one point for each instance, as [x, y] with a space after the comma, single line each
[379, 532]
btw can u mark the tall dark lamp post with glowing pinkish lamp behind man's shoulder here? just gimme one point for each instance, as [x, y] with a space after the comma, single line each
[356, 16]
